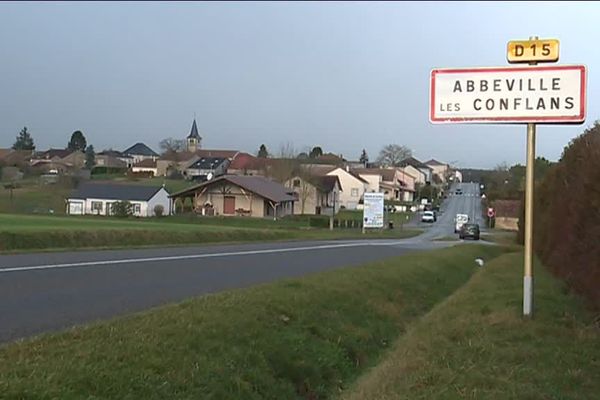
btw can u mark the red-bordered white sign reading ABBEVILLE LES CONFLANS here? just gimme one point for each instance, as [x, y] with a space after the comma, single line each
[552, 94]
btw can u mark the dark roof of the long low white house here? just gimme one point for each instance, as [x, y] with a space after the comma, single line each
[114, 191]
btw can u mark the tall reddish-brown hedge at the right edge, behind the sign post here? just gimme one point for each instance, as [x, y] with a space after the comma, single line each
[567, 216]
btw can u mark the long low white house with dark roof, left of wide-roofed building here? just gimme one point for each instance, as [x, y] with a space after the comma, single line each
[97, 199]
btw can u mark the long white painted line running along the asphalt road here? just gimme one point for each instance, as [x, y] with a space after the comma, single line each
[192, 256]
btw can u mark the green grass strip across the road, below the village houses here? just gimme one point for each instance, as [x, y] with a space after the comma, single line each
[29, 232]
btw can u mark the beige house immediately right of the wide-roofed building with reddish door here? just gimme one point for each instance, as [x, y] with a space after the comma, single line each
[316, 194]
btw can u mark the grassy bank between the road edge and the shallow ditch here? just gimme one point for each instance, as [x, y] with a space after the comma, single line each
[306, 338]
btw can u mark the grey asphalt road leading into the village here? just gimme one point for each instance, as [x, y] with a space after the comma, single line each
[46, 292]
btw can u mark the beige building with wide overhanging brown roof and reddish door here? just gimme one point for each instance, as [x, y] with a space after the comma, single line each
[232, 195]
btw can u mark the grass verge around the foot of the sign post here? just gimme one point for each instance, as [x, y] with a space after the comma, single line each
[476, 345]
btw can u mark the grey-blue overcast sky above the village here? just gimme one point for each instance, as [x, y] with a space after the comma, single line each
[344, 76]
